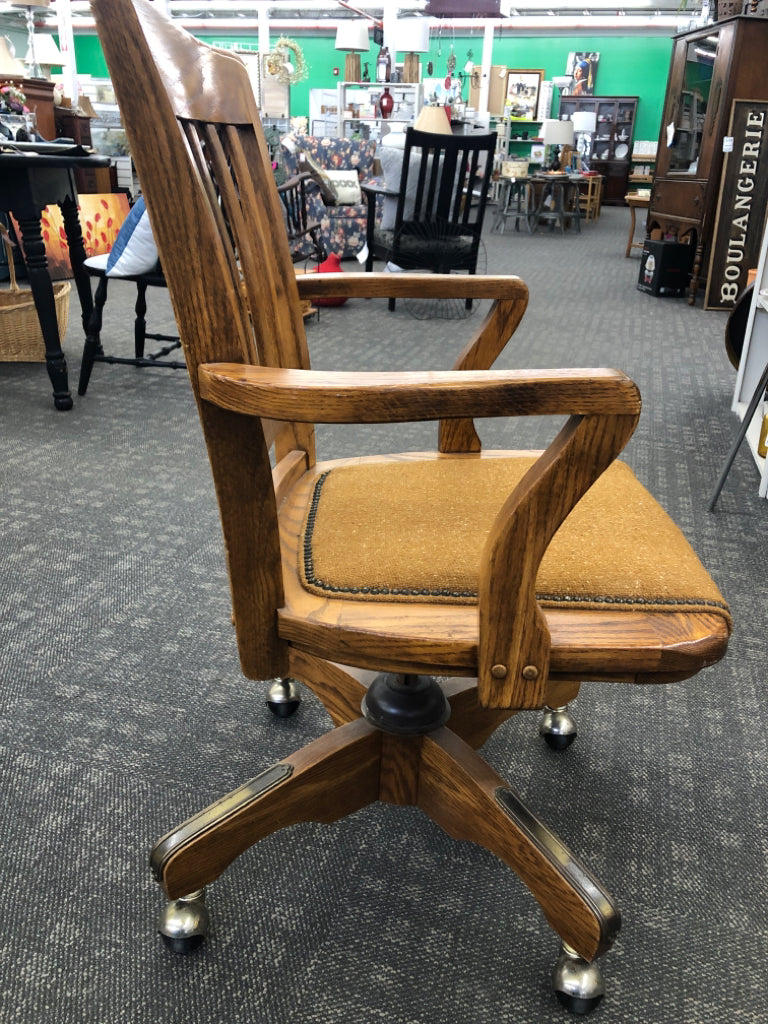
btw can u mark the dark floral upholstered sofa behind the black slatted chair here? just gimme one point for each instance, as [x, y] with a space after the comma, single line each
[343, 223]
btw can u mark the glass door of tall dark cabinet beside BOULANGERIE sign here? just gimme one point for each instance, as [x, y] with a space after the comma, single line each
[692, 106]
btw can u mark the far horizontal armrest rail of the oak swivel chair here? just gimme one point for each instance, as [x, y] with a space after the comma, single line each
[374, 286]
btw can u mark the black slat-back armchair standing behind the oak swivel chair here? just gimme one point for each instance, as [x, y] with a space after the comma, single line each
[437, 223]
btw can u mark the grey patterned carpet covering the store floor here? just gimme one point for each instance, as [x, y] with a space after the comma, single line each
[123, 710]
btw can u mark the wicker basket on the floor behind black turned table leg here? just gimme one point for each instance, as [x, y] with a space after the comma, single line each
[21, 337]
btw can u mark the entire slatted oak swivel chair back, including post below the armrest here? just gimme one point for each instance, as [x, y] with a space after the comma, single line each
[207, 179]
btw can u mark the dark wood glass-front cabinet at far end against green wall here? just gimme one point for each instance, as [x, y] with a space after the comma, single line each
[611, 146]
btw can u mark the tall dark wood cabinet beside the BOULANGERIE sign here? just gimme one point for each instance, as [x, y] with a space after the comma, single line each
[711, 67]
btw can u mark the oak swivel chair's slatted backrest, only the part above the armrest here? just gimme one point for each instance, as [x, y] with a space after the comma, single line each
[240, 268]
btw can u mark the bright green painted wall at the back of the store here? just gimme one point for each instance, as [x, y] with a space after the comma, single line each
[635, 66]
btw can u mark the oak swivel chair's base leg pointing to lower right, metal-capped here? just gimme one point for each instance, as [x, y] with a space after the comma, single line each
[465, 797]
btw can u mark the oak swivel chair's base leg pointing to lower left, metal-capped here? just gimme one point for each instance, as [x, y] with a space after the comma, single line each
[326, 781]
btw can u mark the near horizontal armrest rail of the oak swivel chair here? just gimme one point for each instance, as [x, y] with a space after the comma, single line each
[321, 397]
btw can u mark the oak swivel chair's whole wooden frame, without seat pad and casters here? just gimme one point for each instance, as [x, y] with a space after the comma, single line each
[198, 147]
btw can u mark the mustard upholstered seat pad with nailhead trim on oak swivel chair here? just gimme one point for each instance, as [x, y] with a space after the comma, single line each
[415, 531]
